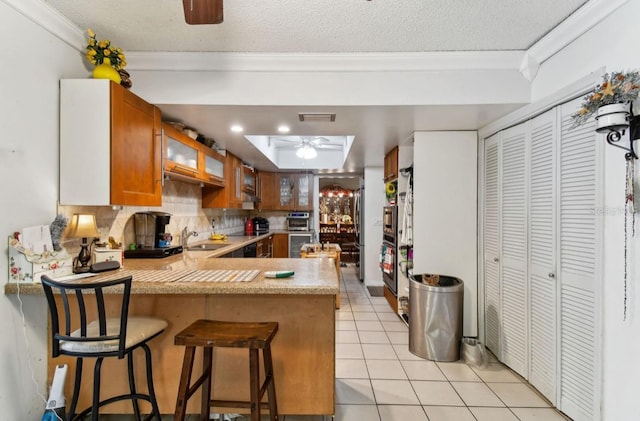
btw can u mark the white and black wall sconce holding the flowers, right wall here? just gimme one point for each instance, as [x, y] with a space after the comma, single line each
[614, 119]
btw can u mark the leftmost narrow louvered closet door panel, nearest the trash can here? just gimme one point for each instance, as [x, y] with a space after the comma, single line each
[491, 244]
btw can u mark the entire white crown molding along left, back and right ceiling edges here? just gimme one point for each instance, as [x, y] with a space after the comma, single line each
[527, 62]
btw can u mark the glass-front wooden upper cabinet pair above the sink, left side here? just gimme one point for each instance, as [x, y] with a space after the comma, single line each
[187, 160]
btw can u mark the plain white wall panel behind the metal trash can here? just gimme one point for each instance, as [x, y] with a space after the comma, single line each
[445, 235]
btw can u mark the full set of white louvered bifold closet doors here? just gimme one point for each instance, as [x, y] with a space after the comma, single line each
[541, 257]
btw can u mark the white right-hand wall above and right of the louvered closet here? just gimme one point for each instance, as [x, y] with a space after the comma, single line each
[614, 44]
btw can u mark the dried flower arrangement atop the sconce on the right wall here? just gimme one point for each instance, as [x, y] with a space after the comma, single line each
[616, 88]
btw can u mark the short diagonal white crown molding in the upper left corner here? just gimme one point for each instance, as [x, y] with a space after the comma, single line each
[50, 20]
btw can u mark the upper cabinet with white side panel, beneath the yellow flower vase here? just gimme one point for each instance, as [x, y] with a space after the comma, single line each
[110, 146]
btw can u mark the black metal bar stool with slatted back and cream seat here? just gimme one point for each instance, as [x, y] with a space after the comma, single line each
[101, 338]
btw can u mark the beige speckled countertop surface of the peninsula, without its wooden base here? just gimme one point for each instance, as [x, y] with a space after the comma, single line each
[178, 274]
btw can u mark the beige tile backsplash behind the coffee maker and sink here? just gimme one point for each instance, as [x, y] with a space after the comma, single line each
[181, 200]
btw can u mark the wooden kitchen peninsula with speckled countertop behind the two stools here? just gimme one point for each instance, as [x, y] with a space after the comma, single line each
[176, 289]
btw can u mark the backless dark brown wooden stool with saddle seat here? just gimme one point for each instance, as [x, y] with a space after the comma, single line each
[212, 333]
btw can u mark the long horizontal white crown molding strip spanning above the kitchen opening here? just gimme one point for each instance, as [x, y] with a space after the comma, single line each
[324, 62]
